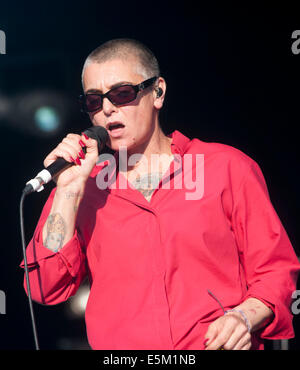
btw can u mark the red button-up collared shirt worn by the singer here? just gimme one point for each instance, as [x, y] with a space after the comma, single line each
[151, 264]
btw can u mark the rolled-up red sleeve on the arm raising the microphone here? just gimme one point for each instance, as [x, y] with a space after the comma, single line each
[54, 277]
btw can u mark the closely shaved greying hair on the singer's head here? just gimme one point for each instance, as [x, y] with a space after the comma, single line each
[124, 49]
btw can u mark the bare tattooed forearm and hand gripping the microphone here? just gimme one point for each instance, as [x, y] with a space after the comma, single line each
[60, 225]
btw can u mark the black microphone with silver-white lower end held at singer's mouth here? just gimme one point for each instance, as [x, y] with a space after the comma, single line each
[36, 184]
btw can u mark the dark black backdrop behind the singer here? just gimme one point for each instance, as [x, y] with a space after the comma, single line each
[231, 77]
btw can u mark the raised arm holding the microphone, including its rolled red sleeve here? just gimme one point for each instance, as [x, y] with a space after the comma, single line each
[55, 256]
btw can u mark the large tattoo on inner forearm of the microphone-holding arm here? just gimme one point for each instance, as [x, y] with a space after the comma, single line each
[56, 231]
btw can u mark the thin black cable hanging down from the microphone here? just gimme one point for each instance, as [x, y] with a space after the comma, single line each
[26, 271]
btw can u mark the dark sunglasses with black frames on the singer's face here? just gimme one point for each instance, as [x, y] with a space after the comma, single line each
[118, 96]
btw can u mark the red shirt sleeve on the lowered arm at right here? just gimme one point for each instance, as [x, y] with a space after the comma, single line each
[269, 261]
